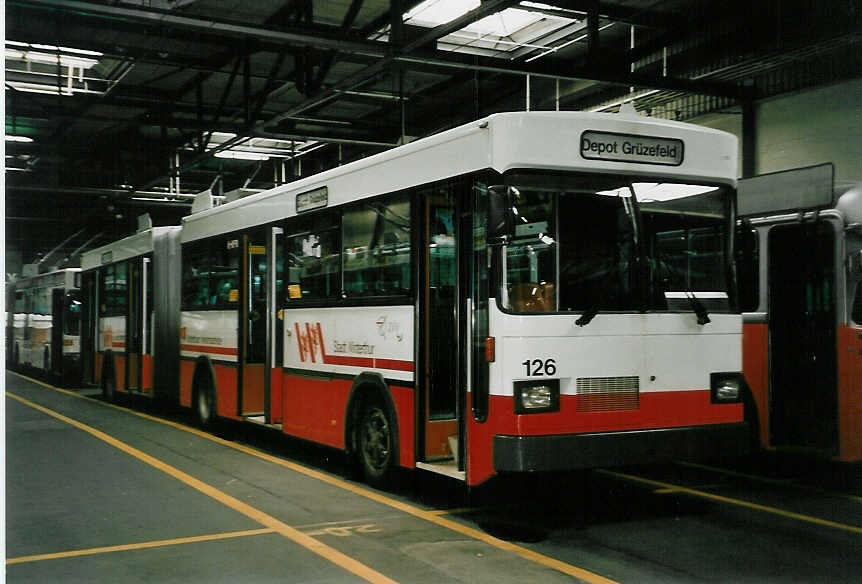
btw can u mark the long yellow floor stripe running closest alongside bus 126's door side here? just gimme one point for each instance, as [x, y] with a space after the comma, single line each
[430, 516]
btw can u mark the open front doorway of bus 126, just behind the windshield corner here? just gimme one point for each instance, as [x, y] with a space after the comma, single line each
[440, 376]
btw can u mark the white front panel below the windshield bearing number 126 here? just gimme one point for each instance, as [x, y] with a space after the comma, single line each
[667, 352]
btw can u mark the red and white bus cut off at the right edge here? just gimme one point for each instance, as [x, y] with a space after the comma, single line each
[800, 270]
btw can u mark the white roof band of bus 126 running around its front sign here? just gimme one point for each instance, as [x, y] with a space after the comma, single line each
[505, 141]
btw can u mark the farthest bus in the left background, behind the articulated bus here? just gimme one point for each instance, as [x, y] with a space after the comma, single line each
[43, 325]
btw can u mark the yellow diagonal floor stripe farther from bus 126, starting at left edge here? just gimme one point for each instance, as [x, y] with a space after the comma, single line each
[296, 536]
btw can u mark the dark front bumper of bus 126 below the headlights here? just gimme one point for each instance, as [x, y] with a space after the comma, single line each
[605, 449]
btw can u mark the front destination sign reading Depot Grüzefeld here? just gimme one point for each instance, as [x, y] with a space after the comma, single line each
[630, 148]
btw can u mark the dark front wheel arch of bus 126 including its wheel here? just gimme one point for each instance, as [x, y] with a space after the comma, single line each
[371, 428]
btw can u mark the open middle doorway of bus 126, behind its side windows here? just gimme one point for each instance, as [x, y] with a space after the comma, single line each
[253, 326]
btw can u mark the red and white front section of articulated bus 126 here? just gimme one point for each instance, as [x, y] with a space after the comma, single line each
[528, 292]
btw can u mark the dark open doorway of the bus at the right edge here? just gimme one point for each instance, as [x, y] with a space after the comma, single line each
[803, 410]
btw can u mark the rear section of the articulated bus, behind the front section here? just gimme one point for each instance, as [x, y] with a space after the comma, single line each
[131, 324]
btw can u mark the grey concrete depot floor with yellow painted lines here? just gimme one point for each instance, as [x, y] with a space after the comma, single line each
[108, 494]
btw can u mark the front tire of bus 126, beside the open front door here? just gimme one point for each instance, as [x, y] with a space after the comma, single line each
[375, 444]
